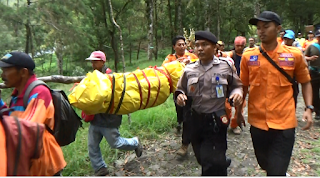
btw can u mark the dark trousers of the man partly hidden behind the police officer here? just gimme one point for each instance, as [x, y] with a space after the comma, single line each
[183, 116]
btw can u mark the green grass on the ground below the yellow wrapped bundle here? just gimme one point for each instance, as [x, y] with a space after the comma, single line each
[146, 124]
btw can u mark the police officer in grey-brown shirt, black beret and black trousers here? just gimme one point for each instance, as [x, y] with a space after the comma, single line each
[205, 82]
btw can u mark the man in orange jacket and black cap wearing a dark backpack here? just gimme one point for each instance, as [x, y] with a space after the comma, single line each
[18, 73]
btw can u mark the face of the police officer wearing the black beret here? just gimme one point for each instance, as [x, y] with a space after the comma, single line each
[206, 50]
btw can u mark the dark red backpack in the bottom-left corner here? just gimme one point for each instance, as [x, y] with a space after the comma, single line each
[23, 143]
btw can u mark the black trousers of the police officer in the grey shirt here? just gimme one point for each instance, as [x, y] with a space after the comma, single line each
[209, 142]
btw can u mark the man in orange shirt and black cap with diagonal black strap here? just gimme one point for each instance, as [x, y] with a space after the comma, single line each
[271, 106]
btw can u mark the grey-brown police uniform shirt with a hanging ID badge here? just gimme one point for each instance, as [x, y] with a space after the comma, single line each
[199, 82]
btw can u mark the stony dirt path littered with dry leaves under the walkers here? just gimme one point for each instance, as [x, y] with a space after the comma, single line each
[159, 157]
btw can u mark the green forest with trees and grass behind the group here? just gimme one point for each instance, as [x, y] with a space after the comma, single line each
[60, 34]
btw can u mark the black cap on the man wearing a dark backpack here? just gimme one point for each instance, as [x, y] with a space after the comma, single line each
[18, 59]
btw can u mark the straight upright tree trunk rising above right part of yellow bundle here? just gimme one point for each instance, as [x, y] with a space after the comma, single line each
[150, 25]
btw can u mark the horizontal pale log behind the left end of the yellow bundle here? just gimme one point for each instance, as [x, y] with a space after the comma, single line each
[57, 79]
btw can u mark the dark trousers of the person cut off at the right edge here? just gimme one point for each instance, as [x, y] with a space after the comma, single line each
[315, 82]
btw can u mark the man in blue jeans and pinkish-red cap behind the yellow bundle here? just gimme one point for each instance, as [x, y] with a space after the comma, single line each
[105, 125]
